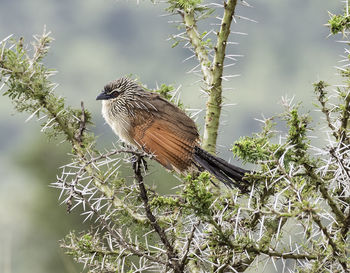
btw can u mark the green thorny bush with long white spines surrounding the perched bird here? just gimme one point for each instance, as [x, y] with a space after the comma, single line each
[308, 192]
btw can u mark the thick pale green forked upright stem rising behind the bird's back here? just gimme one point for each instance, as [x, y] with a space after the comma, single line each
[212, 69]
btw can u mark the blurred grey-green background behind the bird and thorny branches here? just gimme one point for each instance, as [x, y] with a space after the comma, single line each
[99, 40]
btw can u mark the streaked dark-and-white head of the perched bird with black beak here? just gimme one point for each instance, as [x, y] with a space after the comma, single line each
[114, 89]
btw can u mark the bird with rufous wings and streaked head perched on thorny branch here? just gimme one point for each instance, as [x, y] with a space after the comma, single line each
[150, 123]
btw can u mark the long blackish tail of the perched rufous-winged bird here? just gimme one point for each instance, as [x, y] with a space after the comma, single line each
[227, 173]
